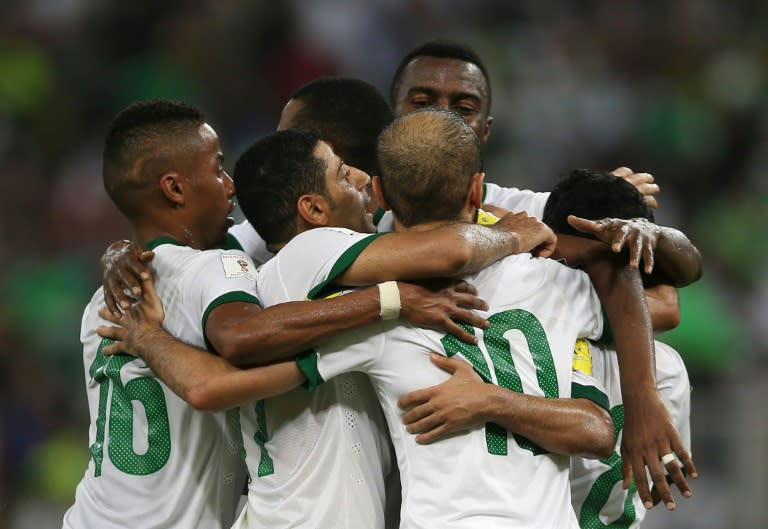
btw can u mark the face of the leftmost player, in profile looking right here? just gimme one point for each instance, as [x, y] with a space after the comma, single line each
[211, 190]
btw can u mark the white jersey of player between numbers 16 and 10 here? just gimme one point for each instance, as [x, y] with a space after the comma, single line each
[315, 460]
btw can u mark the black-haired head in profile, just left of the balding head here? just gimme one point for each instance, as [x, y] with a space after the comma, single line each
[291, 181]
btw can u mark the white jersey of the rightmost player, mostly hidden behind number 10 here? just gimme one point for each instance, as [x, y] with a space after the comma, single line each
[598, 497]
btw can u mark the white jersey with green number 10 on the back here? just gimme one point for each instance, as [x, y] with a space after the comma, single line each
[485, 477]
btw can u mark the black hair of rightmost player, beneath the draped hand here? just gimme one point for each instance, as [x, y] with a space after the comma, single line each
[593, 195]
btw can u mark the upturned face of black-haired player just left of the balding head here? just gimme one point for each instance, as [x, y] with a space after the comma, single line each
[348, 192]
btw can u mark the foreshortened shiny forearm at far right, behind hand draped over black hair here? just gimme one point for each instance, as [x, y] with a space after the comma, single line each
[677, 258]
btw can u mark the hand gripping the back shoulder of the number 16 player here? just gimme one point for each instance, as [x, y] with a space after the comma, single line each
[124, 267]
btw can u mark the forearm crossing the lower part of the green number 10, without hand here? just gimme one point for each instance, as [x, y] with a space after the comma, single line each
[573, 427]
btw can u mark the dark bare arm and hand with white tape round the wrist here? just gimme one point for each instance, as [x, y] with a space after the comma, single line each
[246, 334]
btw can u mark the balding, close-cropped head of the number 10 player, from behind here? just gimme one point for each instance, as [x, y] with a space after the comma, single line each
[430, 168]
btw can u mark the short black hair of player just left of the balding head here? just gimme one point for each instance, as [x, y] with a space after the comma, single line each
[271, 176]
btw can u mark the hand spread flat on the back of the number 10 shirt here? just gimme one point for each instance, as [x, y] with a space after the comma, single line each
[454, 406]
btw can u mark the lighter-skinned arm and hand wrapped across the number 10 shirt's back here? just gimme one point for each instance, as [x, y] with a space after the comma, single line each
[574, 427]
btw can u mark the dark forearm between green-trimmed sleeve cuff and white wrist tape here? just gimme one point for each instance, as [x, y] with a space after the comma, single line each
[287, 329]
